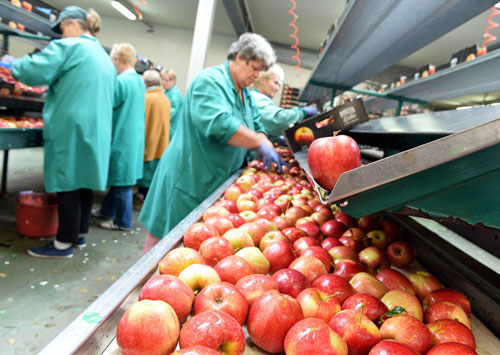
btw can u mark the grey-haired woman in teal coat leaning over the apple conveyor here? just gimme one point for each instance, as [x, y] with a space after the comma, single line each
[220, 122]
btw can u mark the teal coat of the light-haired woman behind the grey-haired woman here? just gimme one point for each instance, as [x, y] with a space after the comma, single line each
[274, 118]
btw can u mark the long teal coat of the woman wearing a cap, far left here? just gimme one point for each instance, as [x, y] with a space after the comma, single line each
[77, 113]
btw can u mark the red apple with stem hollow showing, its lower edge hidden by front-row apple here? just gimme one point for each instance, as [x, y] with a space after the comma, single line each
[222, 297]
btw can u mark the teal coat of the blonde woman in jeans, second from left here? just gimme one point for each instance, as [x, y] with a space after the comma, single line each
[127, 145]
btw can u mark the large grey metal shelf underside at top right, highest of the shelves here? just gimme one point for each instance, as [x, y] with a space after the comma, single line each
[373, 35]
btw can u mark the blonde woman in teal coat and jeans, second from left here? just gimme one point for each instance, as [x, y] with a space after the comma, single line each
[127, 145]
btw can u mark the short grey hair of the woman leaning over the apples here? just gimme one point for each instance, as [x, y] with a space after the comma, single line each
[251, 46]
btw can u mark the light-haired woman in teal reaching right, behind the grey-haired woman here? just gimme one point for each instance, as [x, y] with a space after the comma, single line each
[274, 118]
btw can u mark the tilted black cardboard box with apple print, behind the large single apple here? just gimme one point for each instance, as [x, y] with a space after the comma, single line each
[340, 118]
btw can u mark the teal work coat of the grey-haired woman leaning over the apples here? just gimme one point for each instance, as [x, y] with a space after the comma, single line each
[198, 160]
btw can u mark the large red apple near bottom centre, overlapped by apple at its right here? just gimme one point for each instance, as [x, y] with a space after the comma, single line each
[271, 315]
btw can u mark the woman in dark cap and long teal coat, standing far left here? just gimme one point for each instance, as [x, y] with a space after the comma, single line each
[77, 122]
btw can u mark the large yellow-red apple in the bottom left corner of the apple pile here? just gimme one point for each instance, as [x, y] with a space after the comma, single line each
[148, 327]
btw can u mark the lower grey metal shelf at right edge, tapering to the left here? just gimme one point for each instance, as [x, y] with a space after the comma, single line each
[474, 77]
